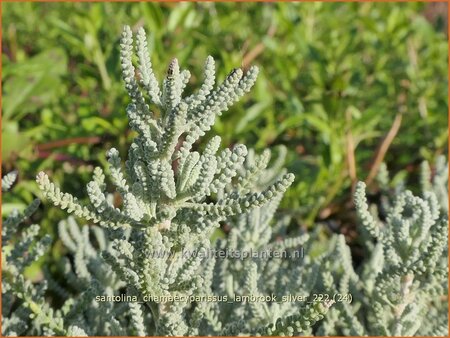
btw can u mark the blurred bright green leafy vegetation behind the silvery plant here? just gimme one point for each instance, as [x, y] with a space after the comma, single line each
[334, 78]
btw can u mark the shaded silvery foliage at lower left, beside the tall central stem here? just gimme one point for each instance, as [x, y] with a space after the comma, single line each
[25, 306]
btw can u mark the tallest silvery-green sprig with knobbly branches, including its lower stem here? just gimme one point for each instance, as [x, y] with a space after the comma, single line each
[173, 197]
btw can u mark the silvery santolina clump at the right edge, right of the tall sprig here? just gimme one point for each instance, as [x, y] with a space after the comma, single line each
[400, 290]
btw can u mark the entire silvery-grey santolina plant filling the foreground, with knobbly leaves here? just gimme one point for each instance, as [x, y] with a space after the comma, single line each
[144, 267]
